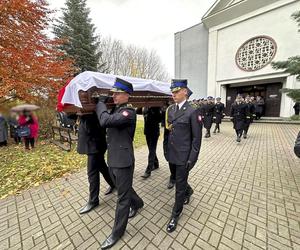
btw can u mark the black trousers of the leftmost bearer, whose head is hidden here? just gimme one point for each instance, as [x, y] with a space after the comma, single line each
[96, 164]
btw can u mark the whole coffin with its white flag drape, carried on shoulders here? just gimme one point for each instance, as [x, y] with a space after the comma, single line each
[81, 92]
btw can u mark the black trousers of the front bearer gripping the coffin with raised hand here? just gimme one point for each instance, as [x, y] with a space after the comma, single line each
[127, 197]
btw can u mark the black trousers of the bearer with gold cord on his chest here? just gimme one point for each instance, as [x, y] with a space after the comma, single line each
[183, 189]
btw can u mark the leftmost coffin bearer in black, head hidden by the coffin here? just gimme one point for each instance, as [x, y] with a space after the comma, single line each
[92, 142]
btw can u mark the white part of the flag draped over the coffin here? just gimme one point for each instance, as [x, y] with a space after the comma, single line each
[89, 79]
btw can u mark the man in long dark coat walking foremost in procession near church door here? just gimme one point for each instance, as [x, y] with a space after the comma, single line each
[238, 115]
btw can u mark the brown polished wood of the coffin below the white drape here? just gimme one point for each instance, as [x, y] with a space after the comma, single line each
[138, 99]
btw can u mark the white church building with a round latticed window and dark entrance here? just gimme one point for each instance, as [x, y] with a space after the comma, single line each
[231, 50]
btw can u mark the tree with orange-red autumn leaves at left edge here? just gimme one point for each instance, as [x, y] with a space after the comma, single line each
[31, 68]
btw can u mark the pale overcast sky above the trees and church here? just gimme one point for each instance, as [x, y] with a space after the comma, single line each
[149, 24]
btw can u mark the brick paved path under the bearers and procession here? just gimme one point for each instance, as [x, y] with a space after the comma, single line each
[247, 196]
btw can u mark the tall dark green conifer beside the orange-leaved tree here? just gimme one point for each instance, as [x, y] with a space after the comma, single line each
[77, 31]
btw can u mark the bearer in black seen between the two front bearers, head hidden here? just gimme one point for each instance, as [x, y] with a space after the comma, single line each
[152, 119]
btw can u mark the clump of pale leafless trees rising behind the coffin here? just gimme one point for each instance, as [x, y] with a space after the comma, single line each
[130, 60]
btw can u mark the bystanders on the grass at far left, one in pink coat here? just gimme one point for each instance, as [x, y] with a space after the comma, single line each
[22, 127]
